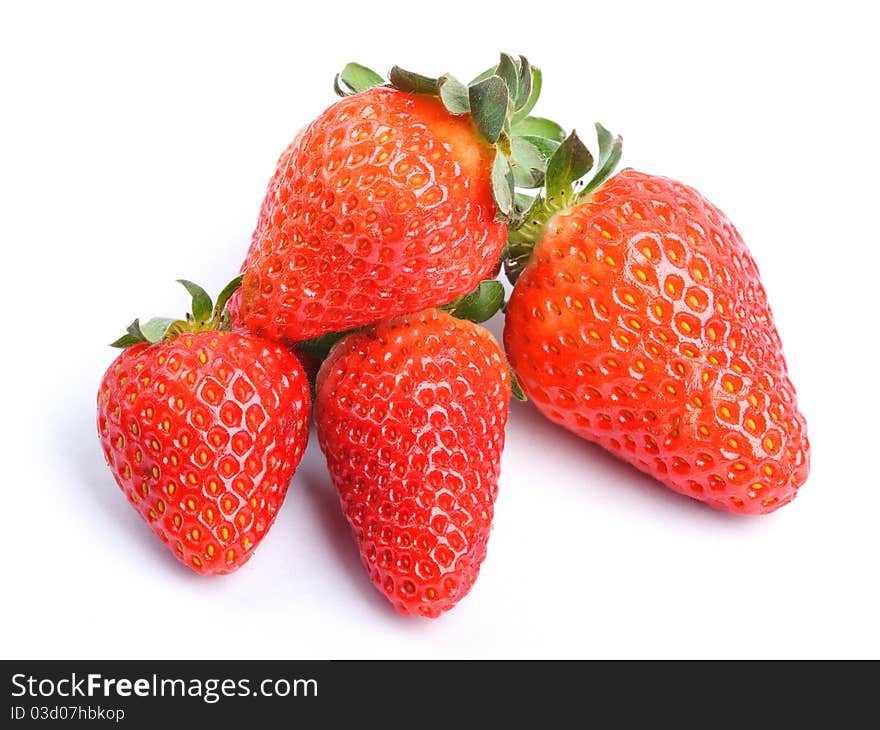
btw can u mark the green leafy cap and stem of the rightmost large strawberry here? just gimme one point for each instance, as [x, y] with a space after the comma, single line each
[565, 185]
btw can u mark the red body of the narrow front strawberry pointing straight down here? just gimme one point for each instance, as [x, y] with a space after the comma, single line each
[410, 416]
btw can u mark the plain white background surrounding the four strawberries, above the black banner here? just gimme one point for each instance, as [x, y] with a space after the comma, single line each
[136, 145]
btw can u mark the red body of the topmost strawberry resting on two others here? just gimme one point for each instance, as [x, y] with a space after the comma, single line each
[381, 206]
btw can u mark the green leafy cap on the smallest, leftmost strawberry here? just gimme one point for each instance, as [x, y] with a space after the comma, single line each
[205, 316]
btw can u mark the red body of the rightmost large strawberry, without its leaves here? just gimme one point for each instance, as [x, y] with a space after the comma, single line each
[641, 323]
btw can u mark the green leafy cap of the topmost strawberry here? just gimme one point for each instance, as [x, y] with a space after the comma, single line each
[500, 101]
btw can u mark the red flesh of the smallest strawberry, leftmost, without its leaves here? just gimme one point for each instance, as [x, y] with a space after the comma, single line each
[203, 434]
